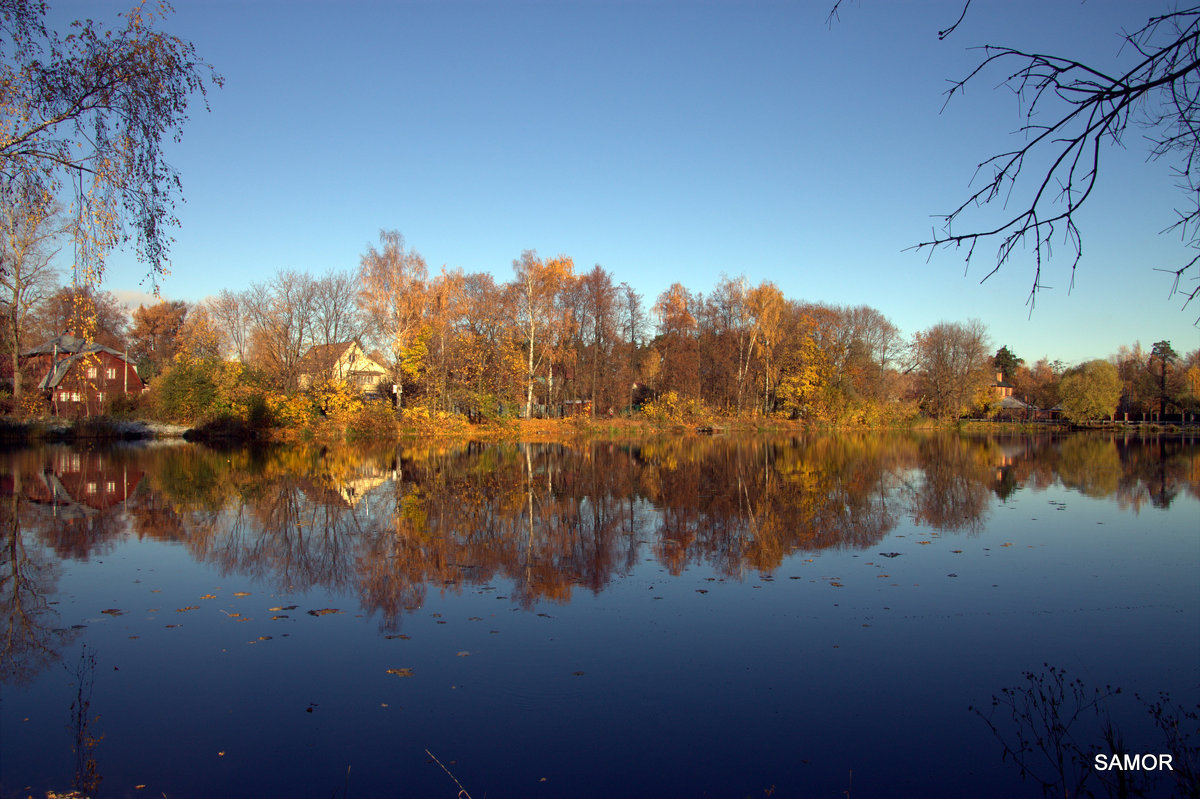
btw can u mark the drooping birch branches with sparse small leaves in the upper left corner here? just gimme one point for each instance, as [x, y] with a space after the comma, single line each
[88, 115]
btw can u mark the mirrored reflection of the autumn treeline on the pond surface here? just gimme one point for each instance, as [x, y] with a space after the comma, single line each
[389, 525]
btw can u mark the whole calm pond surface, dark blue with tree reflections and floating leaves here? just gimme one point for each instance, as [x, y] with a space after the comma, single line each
[707, 618]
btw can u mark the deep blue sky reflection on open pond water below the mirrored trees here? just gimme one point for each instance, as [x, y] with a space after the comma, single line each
[837, 660]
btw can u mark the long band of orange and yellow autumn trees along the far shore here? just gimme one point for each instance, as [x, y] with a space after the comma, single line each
[556, 340]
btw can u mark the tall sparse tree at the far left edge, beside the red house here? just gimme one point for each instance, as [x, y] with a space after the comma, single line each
[31, 230]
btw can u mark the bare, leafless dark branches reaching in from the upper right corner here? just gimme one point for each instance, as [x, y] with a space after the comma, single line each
[1072, 112]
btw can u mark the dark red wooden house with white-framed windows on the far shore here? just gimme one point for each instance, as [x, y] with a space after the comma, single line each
[80, 377]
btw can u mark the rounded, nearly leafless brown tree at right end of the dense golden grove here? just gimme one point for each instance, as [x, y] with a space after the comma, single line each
[955, 369]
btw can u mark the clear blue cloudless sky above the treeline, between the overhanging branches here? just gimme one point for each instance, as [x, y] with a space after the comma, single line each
[664, 141]
